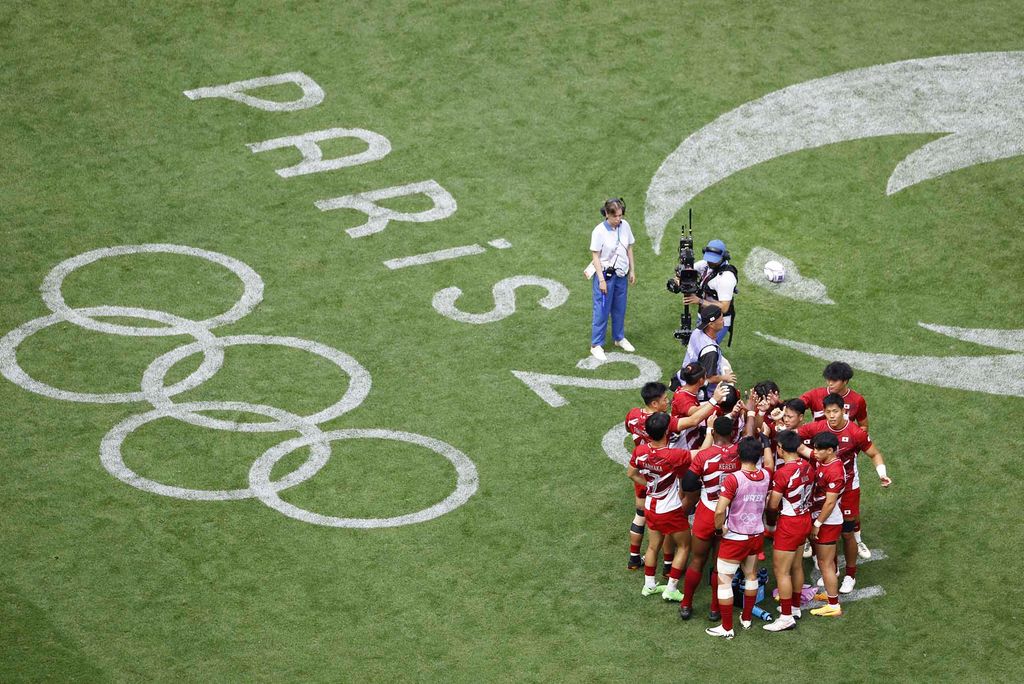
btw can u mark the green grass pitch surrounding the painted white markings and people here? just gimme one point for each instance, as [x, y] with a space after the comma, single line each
[530, 115]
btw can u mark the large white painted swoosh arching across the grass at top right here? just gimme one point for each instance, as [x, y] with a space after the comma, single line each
[976, 99]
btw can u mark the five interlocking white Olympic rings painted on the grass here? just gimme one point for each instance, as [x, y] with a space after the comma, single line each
[212, 349]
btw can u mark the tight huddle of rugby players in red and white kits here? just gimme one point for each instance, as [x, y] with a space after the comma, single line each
[712, 471]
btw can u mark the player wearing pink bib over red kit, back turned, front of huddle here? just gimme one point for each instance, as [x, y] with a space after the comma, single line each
[739, 517]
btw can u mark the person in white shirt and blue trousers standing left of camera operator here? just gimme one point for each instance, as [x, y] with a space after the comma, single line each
[612, 261]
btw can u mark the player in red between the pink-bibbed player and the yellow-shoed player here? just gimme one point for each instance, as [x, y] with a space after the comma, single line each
[790, 504]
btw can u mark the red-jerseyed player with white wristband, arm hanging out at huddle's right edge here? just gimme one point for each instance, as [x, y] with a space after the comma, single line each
[852, 440]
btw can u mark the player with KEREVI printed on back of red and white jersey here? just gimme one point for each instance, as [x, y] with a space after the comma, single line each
[707, 471]
